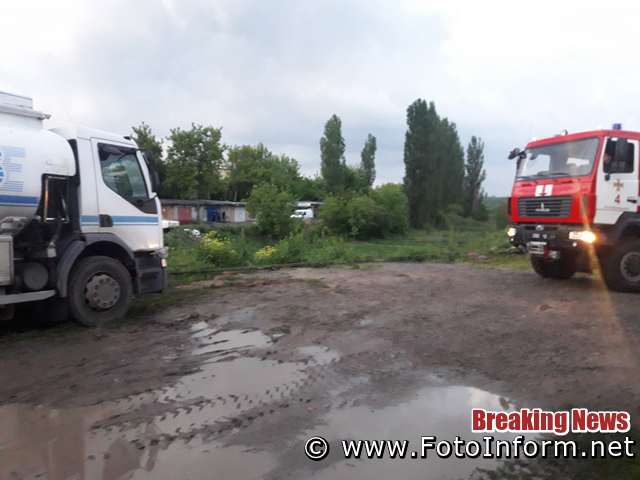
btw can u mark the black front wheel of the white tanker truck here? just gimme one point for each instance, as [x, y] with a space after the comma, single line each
[100, 291]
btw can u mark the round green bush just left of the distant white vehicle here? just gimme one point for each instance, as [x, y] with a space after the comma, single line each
[272, 210]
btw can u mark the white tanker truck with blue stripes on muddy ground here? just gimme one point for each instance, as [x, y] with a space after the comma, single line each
[80, 224]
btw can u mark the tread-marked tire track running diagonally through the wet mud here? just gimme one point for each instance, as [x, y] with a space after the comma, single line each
[205, 403]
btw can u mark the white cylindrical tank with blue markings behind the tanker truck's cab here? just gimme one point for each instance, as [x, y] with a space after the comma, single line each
[27, 152]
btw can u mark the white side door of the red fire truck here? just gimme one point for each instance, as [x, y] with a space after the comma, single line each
[616, 183]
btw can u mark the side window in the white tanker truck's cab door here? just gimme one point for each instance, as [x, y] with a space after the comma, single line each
[121, 172]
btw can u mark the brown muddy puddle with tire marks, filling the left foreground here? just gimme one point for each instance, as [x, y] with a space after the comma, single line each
[165, 433]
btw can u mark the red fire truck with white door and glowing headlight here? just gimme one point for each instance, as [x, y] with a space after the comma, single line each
[575, 205]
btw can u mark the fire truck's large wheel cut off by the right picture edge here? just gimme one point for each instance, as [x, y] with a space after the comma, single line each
[621, 267]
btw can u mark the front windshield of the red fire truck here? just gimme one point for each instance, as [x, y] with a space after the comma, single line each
[570, 159]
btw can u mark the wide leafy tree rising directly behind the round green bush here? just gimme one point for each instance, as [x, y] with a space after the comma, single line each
[249, 166]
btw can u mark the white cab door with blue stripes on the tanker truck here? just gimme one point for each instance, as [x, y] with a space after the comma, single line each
[126, 205]
